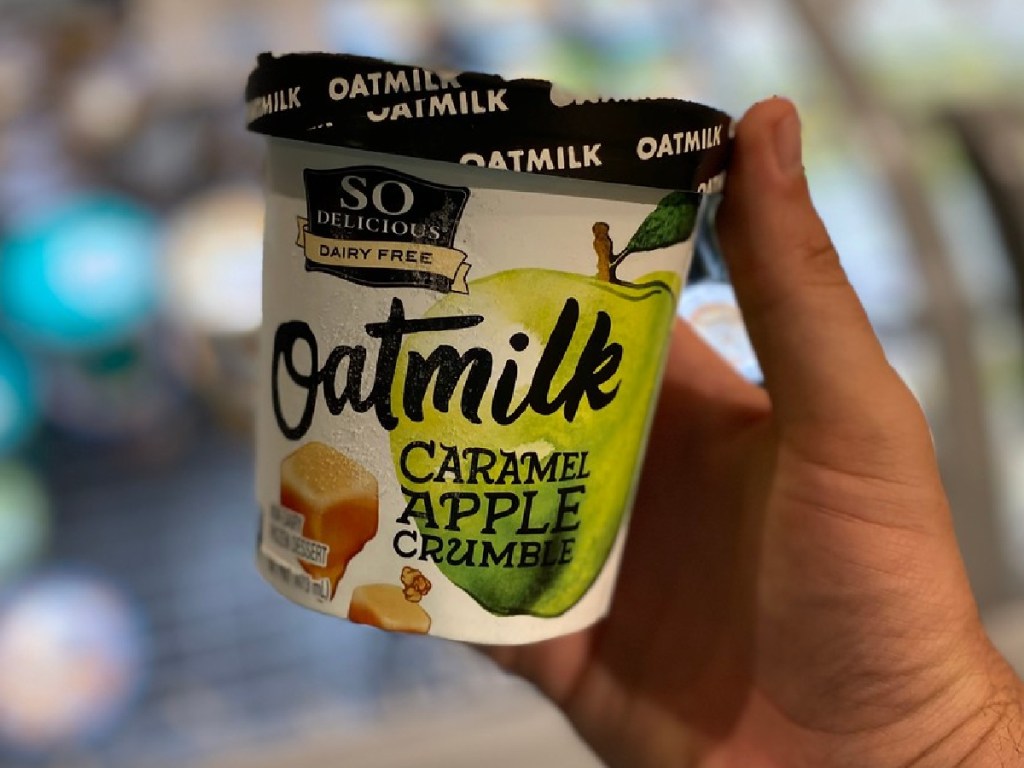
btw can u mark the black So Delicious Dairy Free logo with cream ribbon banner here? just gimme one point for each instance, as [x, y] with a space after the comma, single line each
[382, 229]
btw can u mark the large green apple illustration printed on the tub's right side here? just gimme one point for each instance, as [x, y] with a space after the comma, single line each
[523, 514]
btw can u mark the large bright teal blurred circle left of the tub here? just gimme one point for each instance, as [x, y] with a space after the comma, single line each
[80, 276]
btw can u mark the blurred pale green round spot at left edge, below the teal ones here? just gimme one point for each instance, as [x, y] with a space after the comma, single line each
[24, 520]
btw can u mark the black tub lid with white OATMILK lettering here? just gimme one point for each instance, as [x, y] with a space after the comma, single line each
[484, 120]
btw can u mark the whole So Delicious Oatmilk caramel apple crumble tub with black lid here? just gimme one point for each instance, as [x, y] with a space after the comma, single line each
[470, 285]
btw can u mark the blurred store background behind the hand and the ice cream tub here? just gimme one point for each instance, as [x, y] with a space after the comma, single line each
[134, 628]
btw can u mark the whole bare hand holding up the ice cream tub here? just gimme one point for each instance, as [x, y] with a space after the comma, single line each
[792, 593]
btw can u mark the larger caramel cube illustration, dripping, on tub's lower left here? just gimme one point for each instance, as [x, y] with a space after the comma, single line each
[337, 497]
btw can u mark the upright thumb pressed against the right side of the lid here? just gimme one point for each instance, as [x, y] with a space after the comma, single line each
[823, 364]
